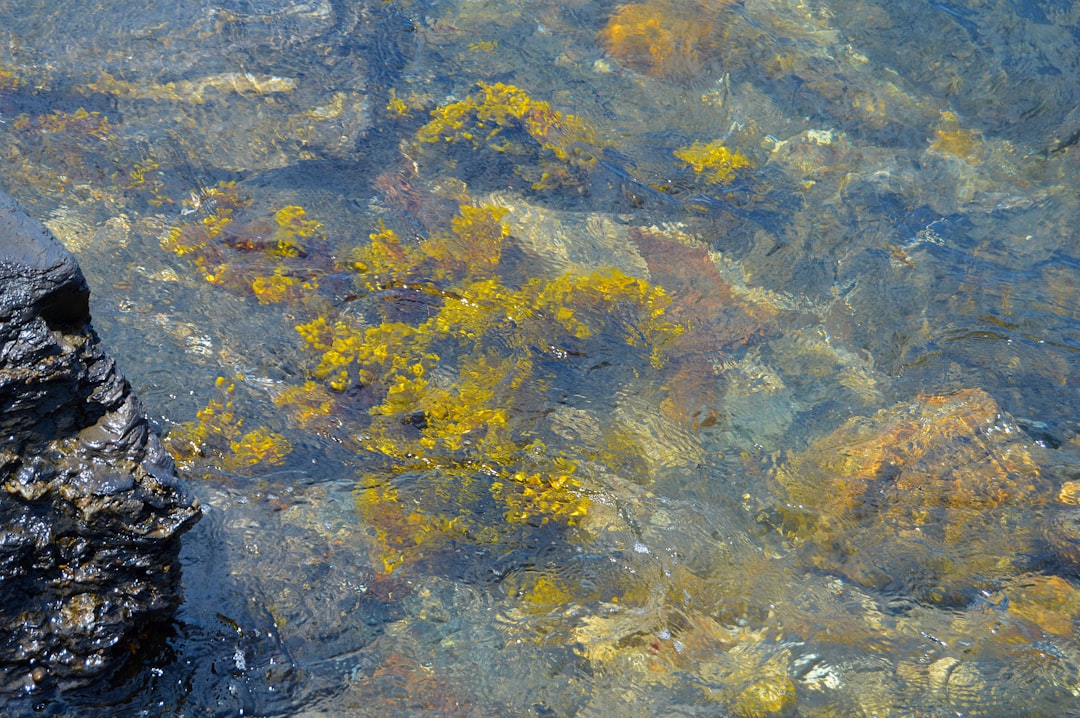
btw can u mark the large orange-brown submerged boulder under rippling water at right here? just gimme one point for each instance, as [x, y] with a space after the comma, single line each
[933, 496]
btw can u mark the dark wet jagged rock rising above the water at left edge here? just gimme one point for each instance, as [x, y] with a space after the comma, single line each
[91, 511]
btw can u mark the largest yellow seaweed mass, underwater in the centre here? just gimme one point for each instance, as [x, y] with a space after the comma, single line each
[454, 392]
